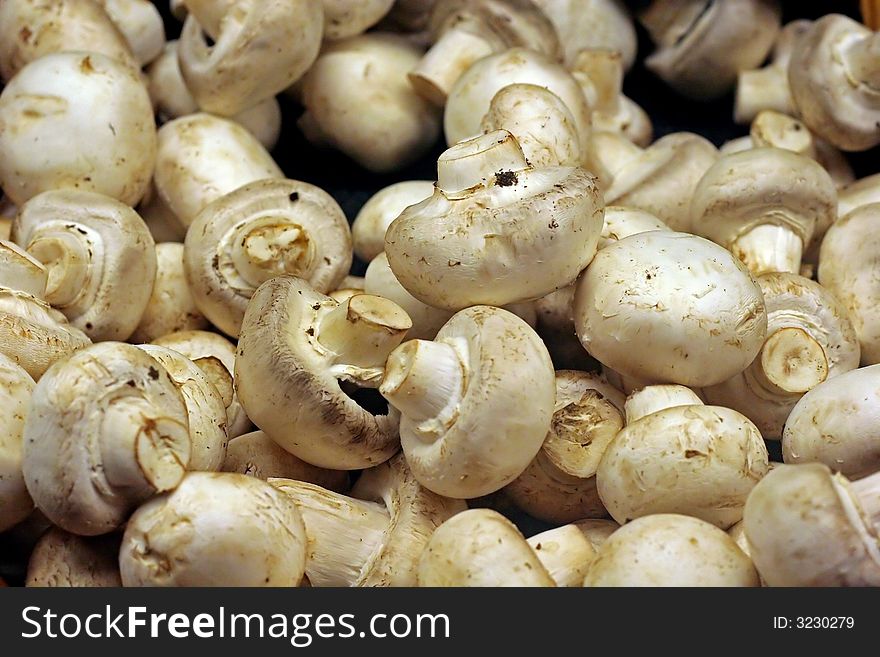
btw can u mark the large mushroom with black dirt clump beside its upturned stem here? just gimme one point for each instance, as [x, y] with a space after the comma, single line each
[496, 231]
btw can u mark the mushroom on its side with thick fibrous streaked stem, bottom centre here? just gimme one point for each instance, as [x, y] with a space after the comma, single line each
[374, 537]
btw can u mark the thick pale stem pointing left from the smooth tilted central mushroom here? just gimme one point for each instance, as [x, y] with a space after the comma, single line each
[424, 380]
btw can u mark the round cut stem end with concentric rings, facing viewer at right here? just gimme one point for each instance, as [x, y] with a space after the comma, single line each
[791, 361]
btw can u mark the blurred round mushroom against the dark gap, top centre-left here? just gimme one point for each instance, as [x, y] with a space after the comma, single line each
[392, 127]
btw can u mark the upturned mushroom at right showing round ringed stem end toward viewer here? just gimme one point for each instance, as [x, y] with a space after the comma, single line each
[810, 339]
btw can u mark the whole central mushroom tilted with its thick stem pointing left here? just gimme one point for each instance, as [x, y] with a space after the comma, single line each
[476, 403]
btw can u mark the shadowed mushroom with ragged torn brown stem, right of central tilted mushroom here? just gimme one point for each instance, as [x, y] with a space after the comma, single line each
[559, 485]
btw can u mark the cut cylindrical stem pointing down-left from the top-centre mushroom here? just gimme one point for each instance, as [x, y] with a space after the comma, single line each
[445, 63]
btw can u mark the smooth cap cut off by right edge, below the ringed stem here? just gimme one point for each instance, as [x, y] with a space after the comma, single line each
[838, 423]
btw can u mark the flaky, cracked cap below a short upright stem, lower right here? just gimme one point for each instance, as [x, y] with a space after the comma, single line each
[700, 461]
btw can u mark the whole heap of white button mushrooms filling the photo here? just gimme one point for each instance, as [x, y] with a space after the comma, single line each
[527, 345]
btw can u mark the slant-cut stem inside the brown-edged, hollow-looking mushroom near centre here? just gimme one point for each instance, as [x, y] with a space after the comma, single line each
[363, 330]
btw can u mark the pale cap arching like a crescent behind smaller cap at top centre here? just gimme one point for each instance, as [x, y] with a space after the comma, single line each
[471, 96]
